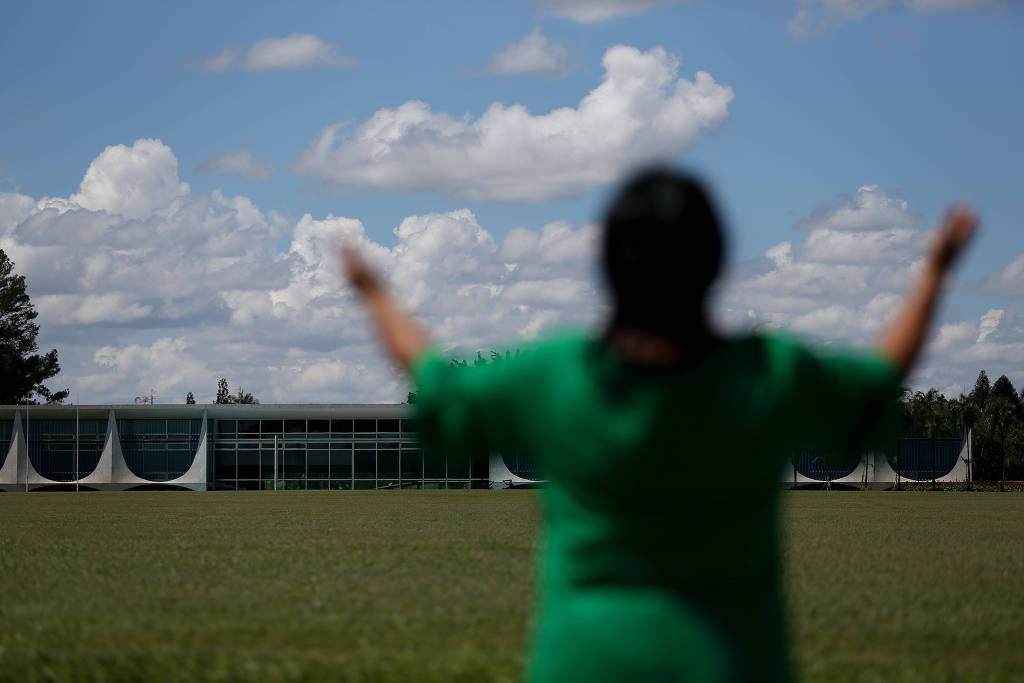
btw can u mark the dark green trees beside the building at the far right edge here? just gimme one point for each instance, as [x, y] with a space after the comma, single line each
[994, 413]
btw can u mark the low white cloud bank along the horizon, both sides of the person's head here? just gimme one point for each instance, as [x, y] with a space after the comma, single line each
[195, 288]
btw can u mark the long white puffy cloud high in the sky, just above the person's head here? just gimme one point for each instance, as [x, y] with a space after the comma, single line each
[642, 112]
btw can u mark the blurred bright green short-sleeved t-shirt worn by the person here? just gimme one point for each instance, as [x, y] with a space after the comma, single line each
[660, 558]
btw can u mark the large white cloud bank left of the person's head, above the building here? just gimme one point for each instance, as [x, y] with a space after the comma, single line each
[201, 275]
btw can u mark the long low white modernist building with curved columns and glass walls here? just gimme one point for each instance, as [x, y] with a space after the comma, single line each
[337, 447]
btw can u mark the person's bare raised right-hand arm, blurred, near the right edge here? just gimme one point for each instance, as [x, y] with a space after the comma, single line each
[903, 339]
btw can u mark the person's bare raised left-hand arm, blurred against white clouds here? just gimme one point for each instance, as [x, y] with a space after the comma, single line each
[402, 336]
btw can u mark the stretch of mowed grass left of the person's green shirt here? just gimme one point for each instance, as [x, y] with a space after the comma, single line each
[287, 586]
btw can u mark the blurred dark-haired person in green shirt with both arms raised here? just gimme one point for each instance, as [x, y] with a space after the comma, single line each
[649, 572]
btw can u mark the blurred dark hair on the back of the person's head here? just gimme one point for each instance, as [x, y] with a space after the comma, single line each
[663, 248]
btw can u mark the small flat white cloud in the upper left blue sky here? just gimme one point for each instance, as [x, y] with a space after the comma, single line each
[298, 51]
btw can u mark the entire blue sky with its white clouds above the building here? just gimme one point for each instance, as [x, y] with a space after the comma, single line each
[915, 101]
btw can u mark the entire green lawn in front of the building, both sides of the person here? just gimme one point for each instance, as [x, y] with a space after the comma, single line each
[435, 586]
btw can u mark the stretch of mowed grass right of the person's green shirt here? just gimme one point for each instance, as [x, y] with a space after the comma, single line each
[894, 586]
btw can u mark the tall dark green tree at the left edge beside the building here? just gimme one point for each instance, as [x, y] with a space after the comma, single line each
[22, 370]
